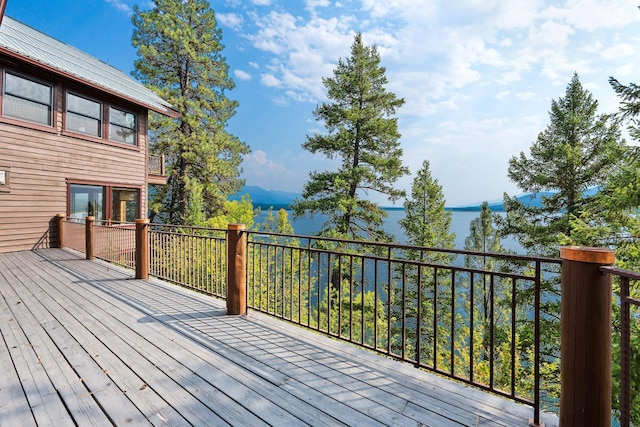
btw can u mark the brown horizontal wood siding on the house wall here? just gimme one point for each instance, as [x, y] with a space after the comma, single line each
[43, 163]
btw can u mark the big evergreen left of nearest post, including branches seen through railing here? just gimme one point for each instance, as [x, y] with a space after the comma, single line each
[577, 151]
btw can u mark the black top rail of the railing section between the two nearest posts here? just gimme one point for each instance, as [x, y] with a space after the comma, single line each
[514, 257]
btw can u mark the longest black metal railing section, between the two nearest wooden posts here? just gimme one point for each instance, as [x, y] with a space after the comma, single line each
[372, 294]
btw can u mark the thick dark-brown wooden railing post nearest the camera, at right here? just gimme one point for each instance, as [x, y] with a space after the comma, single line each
[585, 398]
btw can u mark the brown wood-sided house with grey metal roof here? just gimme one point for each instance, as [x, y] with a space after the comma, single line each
[73, 138]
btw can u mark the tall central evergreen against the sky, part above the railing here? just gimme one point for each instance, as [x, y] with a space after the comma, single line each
[363, 134]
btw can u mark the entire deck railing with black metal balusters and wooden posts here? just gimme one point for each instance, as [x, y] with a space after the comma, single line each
[485, 319]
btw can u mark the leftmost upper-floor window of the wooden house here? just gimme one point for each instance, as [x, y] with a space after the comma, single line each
[27, 99]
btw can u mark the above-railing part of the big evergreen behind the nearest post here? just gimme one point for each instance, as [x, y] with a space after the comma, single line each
[577, 151]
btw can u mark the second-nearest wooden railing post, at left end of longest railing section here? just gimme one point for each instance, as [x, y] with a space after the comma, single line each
[236, 270]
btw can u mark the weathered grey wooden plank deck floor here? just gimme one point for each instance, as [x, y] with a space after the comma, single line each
[84, 344]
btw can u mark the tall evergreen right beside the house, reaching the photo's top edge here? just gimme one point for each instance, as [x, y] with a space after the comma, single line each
[180, 57]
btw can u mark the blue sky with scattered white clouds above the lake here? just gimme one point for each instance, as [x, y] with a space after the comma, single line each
[478, 76]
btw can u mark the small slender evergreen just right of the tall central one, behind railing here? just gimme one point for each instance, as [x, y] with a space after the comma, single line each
[426, 224]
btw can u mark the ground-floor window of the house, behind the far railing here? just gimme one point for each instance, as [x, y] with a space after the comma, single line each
[105, 203]
